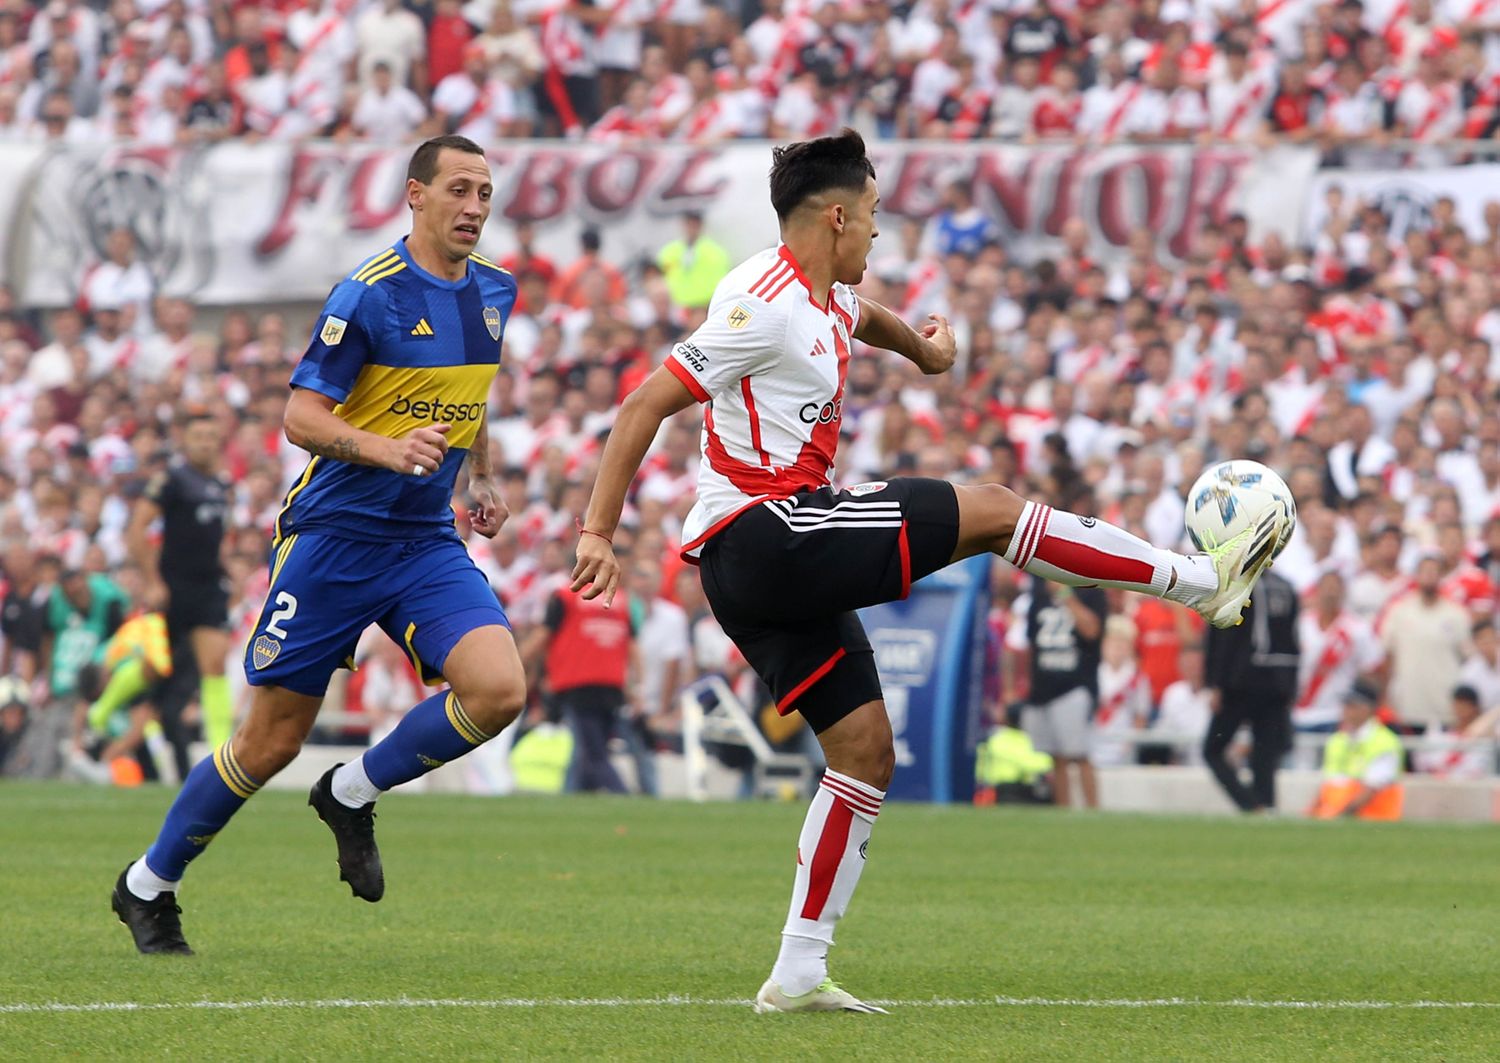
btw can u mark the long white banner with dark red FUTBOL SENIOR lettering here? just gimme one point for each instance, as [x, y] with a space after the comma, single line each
[284, 223]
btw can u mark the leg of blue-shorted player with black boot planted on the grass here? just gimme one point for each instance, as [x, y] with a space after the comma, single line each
[146, 894]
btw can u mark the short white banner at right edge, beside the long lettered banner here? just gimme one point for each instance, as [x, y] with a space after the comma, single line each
[1406, 197]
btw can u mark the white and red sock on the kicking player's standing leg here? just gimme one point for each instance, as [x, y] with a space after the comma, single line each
[830, 857]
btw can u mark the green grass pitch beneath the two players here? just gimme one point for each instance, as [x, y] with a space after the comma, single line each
[611, 899]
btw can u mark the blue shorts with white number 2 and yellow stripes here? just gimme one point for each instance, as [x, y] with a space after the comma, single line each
[425, 594]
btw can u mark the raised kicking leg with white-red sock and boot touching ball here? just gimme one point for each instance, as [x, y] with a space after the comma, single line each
[1088, 552]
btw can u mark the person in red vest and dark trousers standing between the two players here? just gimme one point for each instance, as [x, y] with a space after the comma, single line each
[590, 653]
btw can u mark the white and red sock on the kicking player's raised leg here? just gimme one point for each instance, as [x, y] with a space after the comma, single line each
[1066, 548]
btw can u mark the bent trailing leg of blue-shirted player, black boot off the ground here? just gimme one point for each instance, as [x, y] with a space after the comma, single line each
[488, 692]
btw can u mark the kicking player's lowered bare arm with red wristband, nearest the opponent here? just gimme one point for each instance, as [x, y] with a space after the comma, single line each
[640, 419]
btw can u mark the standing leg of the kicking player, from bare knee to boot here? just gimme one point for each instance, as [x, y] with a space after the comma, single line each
[830, 858]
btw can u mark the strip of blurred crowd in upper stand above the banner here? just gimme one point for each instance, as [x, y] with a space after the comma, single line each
[193, 71]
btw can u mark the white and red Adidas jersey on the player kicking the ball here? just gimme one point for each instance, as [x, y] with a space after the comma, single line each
[772, 362]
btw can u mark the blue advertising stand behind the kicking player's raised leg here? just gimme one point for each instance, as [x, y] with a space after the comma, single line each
[931, 654]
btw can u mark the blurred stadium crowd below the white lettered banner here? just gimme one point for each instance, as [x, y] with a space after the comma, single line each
[1364, 368]
